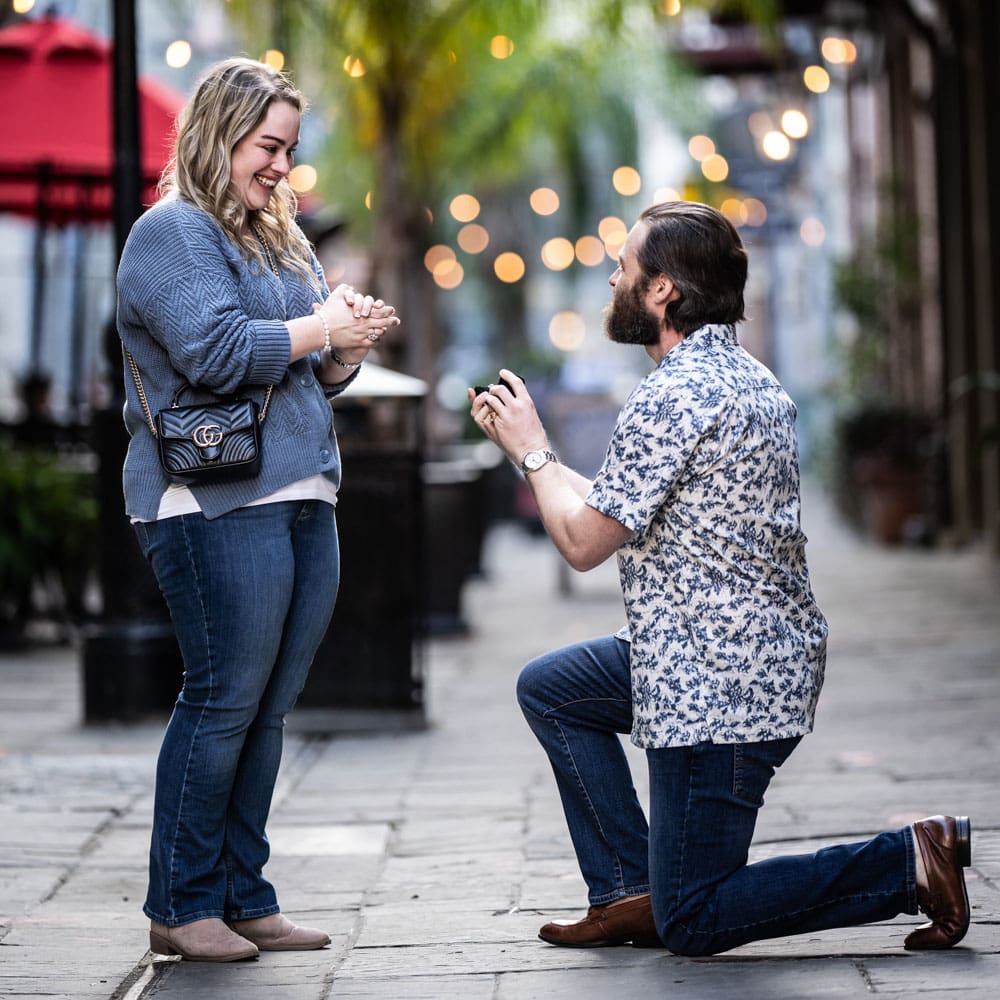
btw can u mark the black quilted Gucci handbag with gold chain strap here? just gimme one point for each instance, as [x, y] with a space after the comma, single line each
[206, 442]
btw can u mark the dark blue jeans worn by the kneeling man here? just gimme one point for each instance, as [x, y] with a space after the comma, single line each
[692, 855]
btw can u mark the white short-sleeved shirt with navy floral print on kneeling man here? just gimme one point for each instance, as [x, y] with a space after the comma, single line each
[727, 642]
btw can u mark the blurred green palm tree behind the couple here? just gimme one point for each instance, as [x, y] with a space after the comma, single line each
[415, 103]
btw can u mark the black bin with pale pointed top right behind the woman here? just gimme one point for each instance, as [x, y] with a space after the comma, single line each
[368, 671]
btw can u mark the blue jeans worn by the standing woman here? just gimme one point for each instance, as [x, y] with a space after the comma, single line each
[250, 595]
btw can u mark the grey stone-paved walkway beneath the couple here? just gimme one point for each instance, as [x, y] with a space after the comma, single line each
[432, 857]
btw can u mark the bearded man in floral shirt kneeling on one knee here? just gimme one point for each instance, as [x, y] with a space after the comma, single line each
[718, 671]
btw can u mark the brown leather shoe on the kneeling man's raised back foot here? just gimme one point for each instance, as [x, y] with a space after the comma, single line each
[945, 844]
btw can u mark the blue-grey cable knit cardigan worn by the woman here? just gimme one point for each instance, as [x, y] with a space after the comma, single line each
[193, 312]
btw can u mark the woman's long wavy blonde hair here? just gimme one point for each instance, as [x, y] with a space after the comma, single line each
[228, 104]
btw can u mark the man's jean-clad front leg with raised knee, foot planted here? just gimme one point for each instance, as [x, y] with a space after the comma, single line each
[577, 700]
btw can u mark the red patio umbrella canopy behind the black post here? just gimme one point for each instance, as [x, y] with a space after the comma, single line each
[56, 153]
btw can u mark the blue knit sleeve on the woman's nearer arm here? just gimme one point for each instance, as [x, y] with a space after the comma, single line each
[220, 323]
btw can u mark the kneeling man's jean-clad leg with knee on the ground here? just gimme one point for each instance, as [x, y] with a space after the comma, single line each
[706, 899]
